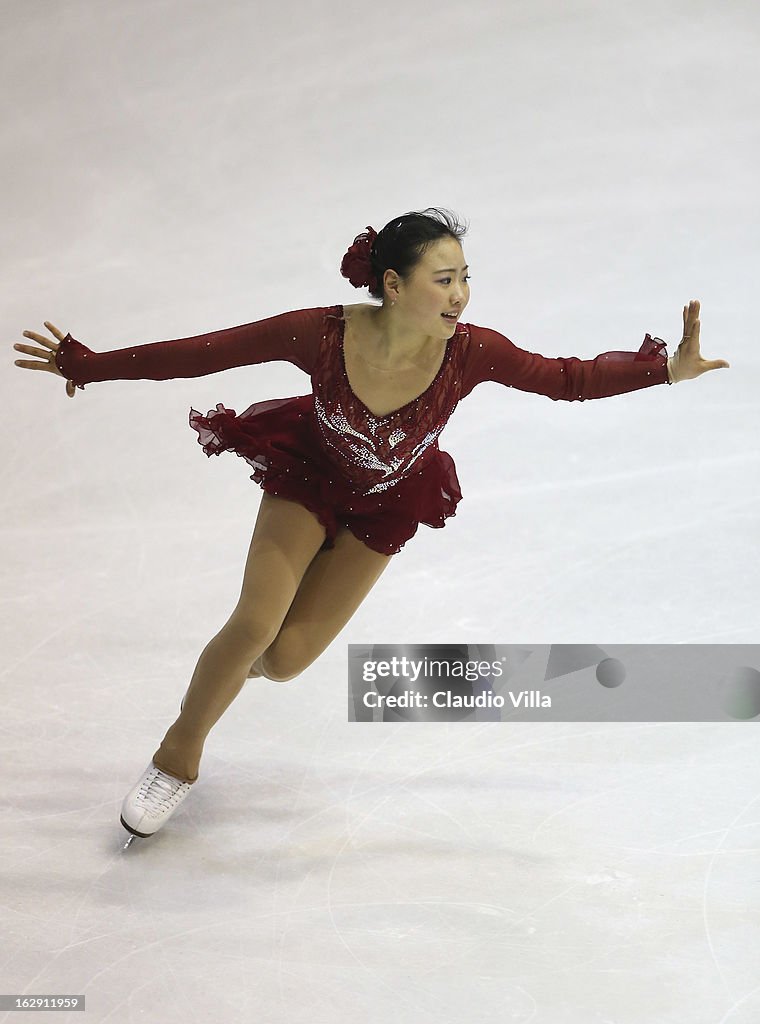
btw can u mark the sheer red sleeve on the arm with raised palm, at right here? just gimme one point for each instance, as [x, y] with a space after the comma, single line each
[492, 357]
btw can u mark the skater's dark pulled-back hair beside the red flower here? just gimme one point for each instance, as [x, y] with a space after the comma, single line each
[404, 241]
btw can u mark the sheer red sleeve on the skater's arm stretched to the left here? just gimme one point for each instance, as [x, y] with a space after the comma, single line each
[292, 336]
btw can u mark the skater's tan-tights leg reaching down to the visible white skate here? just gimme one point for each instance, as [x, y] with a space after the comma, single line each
[285, 541]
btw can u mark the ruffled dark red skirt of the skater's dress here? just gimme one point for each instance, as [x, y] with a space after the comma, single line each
[280, 441]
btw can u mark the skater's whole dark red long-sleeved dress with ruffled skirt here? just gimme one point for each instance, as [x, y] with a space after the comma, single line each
[381, 477]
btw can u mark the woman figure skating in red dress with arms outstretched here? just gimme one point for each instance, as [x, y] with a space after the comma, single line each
[351, 470]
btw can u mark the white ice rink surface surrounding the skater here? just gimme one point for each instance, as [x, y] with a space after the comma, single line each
[175, 168]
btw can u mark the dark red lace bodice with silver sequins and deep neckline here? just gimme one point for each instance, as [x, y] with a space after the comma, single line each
[375, 453]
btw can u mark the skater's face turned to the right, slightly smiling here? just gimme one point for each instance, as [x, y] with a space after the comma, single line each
[438, 285]
